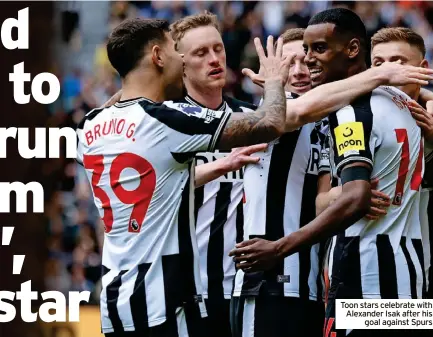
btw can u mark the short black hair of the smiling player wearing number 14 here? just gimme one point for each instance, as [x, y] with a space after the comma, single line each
[347, 23]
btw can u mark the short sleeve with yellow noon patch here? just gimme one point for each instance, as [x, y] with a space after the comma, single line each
[351, 135]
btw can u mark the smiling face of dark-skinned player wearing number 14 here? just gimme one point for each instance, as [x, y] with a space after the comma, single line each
[325, 55]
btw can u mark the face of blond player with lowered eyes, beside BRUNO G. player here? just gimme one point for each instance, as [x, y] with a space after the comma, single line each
[205, 58]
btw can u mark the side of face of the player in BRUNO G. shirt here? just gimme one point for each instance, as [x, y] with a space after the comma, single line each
[173, 70]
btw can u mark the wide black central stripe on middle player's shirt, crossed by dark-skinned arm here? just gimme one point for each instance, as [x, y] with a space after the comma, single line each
[279, 167]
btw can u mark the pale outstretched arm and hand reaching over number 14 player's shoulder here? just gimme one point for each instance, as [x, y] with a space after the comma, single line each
[319, 102]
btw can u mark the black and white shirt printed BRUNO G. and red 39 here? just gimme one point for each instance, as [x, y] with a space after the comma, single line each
[139, 159]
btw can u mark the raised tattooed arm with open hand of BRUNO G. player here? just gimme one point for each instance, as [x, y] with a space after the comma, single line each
[268, 121]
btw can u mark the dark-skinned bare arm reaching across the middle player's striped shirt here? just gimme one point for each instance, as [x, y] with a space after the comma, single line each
[352, 205]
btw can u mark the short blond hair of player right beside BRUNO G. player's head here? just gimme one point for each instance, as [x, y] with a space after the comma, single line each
[181, 26]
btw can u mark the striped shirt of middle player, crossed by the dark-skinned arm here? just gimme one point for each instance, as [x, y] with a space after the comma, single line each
[280, 195]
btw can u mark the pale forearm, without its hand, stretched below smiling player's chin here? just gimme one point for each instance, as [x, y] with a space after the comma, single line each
[321, 101]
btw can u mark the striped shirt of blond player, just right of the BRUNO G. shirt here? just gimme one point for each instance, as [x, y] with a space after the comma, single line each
[219, 217]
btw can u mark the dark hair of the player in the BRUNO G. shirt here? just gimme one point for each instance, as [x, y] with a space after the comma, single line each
[126, 44]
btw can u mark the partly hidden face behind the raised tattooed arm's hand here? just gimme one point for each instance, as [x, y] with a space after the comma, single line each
[299, 77]
